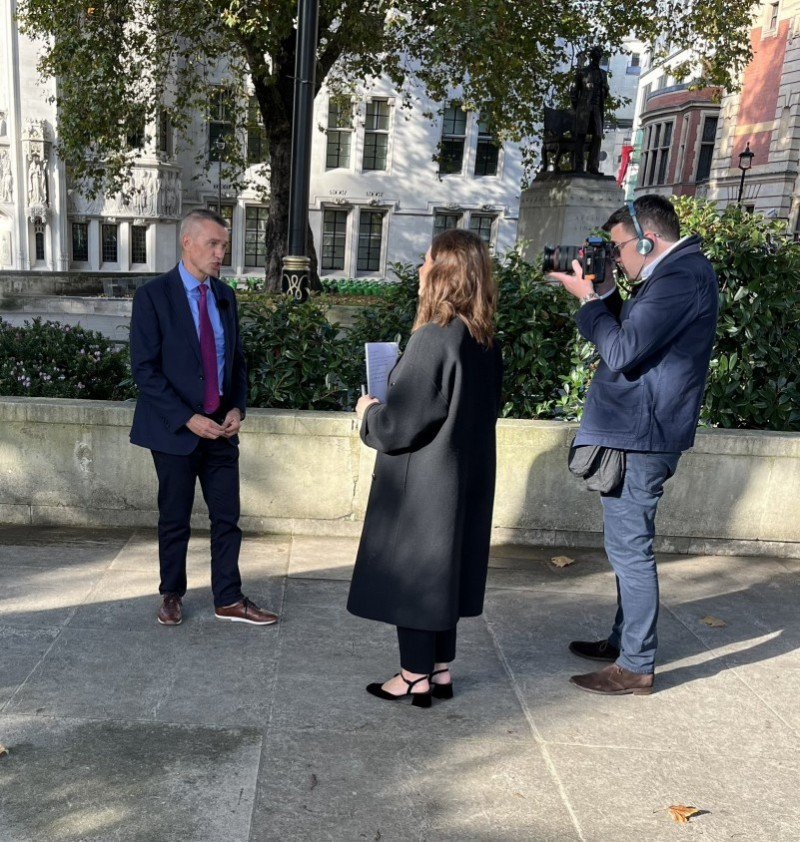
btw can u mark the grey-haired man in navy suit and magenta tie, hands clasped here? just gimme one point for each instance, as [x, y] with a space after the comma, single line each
[188, 363]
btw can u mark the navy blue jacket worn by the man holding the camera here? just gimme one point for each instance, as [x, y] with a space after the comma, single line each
[654, 348]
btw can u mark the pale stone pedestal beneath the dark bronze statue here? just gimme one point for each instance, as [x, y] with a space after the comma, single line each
[564, 208]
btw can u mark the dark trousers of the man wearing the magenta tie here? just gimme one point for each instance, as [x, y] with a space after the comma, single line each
[215, 462]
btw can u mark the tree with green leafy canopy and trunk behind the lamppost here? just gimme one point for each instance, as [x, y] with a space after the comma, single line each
[120, 62]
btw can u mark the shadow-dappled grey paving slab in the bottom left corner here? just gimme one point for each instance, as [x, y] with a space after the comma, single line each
[81, 780]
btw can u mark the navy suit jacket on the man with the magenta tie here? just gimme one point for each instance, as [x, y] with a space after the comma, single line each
[166, 363]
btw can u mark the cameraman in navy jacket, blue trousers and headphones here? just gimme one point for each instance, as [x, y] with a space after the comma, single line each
[644, 399]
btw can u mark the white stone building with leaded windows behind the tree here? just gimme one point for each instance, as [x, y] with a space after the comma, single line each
[378, 194]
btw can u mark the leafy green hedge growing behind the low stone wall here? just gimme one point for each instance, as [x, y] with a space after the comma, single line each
[298, 360]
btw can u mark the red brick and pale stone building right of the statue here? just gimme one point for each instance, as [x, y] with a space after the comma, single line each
[689, 142]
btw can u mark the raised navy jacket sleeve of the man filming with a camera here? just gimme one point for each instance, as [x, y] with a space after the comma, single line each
[655, 318]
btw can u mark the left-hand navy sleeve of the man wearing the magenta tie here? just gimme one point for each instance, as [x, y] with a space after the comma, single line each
[146, 368]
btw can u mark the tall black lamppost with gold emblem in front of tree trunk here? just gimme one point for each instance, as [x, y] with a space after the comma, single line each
[297, 263]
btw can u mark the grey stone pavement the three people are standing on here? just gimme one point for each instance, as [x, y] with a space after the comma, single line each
[120, 729]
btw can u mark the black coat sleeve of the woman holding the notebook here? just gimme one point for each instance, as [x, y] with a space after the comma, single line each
[414, 411]
